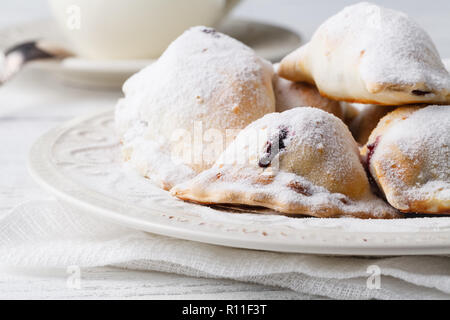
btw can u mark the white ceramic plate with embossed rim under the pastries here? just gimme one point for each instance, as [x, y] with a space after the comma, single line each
[79, 163]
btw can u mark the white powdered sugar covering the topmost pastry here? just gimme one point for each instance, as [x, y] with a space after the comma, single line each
[393, 47]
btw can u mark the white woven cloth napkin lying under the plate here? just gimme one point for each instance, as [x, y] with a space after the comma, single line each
[45, 234]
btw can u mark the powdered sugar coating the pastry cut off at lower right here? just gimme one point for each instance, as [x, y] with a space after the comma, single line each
[424, 140]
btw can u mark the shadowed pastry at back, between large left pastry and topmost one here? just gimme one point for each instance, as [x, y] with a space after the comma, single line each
[289, 95]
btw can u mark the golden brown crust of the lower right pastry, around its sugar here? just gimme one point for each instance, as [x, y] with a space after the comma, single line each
[399, 175]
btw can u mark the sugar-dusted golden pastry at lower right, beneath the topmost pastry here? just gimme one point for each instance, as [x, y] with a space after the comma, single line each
[408, 155]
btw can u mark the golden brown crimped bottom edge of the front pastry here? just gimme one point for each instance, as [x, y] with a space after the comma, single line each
[256, 195]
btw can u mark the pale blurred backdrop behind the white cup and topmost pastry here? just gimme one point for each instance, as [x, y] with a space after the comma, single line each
[300, 15]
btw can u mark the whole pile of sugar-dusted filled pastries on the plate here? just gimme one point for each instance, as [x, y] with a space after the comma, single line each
[215, 124]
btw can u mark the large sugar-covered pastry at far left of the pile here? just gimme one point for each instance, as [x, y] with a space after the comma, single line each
[178, 112]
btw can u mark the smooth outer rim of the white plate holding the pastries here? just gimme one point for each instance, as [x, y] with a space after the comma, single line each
[314, 240]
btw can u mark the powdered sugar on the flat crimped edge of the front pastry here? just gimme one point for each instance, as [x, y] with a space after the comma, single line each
[279, 196]
